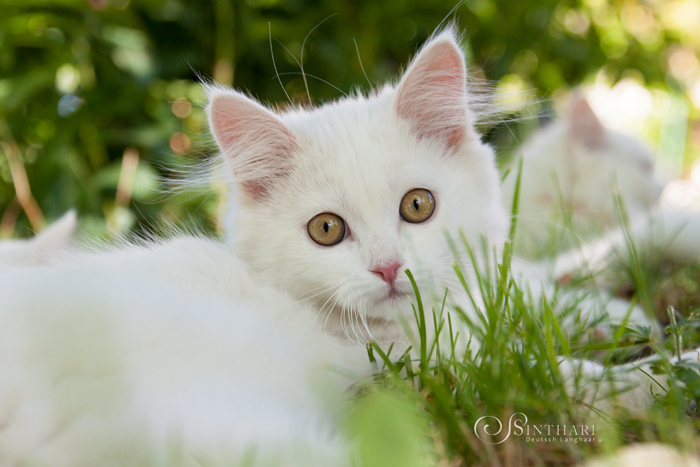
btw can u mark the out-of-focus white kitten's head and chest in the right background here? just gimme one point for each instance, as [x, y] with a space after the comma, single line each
[574, 167]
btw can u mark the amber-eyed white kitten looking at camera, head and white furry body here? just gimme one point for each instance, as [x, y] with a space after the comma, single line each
[188, 352]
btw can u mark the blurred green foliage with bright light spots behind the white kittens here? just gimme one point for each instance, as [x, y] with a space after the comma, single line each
[100, 98]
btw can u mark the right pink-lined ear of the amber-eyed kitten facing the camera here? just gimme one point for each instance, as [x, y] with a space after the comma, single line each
[432, 94]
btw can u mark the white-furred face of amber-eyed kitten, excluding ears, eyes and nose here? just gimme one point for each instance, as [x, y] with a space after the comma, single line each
[361, 174]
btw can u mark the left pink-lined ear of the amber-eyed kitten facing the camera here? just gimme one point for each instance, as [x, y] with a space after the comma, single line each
[256, 145]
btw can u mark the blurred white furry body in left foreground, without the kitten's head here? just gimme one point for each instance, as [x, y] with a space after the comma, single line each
[149, 355]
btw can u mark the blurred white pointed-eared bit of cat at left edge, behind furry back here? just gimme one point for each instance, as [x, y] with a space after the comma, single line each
[44, 247]
